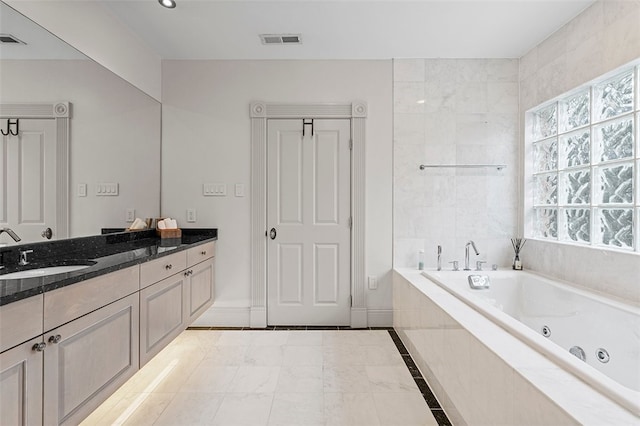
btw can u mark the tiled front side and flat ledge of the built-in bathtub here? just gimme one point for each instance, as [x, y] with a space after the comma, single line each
[504, 381]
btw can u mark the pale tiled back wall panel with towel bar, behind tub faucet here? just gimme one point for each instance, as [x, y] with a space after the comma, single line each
[455, 111]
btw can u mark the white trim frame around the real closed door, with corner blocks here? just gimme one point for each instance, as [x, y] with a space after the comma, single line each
[260, 113]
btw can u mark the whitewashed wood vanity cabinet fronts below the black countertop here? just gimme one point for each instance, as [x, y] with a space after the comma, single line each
[64, 352]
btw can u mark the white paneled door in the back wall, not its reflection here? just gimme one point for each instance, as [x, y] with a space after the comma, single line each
[308, 219]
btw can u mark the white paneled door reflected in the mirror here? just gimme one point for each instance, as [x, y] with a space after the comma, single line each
[28, 180]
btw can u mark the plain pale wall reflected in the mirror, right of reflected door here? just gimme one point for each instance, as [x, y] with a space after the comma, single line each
[114, 133]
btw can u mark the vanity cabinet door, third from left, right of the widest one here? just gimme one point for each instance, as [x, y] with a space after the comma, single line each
[162, 314]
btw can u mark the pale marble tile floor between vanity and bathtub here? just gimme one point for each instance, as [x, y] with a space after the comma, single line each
[288, 377]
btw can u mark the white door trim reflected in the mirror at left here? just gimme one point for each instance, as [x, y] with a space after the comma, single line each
[61, 113]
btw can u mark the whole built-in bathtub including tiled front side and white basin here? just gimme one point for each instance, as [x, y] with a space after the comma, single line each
[484, 354]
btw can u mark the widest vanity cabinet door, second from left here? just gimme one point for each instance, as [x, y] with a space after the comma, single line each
[87, 359]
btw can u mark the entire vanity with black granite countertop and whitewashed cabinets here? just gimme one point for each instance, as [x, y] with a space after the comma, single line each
[68, 341]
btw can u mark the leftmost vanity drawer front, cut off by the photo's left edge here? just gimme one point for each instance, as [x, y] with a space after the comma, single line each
[20, 321]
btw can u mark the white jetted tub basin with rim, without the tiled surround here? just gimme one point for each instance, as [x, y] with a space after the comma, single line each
[524, 303]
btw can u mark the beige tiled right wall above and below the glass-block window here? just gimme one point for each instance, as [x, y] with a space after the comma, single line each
[602, 38]
